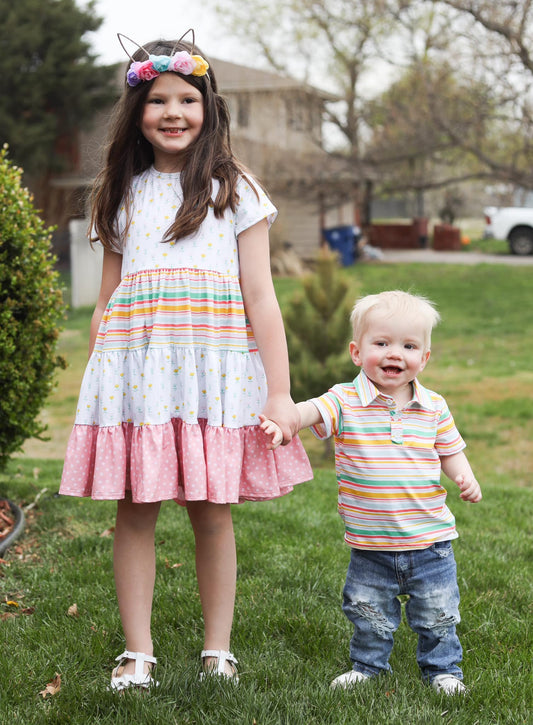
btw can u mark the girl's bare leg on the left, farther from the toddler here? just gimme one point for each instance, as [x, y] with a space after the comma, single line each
[134, 566]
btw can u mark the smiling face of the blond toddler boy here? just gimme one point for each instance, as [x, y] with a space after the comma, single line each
[391, 351]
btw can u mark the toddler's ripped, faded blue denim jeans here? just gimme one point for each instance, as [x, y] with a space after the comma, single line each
[429, 577]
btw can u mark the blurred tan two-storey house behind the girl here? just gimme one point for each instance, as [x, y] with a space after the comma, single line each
[277, 126]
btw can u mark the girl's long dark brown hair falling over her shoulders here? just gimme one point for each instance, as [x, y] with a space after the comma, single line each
[209, 157]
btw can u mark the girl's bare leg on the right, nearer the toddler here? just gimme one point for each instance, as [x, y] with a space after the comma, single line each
[216, 570]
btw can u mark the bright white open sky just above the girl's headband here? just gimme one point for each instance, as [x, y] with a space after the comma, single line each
[145, 20]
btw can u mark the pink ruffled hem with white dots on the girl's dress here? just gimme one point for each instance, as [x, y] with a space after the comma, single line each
[180, 461]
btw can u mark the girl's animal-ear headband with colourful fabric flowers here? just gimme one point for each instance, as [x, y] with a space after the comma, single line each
[180, 62]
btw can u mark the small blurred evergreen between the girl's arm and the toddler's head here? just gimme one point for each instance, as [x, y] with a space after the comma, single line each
[318, 331]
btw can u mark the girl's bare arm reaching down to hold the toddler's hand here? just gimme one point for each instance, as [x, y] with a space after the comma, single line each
[263, 311]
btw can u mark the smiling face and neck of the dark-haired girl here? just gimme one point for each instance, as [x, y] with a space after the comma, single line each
[172, 120]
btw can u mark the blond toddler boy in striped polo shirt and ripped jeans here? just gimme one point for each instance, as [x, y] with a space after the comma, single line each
[392, 438]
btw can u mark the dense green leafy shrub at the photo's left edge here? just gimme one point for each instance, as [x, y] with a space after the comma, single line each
[31, 306]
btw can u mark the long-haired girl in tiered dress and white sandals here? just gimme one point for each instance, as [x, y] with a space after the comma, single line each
[187, 347]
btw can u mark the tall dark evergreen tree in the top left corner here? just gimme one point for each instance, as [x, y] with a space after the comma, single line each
[50, 83]
